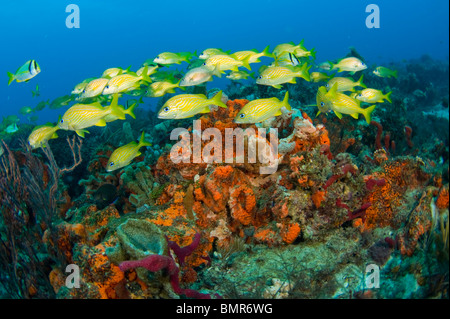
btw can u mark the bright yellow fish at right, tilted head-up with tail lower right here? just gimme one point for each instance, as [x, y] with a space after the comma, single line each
[344, 104]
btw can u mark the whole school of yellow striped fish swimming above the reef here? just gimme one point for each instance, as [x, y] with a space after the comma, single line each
[290, 61]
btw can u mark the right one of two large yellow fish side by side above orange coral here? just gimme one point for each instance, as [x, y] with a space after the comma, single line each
[262, 109]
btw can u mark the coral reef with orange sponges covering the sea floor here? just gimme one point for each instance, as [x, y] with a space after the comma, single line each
[344, 194]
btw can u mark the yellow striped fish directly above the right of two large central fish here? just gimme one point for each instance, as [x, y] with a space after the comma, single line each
[277, 75]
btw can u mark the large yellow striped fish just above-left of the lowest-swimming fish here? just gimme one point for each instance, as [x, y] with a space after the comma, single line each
[80, 116]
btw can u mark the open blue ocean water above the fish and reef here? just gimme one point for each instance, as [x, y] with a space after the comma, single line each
[119, 34]
